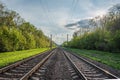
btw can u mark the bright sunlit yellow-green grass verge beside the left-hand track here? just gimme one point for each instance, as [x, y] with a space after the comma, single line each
[11, 57]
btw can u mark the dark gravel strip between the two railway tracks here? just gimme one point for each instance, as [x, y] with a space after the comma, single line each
[57, 67]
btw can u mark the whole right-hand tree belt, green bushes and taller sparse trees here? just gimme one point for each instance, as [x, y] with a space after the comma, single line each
[104, 37]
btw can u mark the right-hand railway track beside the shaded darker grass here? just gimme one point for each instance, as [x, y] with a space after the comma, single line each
[88, 70]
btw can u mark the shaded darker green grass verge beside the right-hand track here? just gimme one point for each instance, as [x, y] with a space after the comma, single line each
[110, 59]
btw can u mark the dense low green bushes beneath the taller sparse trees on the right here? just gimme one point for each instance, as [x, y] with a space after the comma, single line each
[97, 40]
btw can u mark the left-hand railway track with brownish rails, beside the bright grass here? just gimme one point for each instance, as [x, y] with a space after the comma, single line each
[20, 69]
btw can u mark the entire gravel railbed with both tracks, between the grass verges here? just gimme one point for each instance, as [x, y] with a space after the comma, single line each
[56, 64]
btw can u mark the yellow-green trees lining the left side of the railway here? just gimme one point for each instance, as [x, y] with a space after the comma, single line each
[17, 34]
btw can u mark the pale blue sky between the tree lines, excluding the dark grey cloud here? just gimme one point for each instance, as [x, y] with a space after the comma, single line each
[51, 16]
